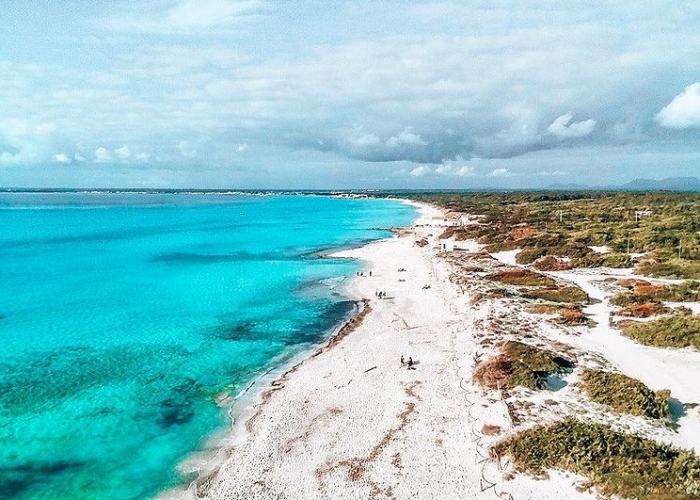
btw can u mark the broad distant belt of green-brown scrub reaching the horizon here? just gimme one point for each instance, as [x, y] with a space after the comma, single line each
[664, 227]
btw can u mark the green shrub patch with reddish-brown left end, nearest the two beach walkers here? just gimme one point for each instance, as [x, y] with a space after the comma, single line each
[520, 365]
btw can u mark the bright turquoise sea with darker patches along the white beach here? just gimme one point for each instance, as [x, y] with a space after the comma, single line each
[123, 315]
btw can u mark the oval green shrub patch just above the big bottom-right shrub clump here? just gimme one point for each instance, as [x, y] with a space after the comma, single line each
[625, 394]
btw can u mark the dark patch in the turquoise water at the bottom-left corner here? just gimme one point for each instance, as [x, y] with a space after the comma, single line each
[18, 479]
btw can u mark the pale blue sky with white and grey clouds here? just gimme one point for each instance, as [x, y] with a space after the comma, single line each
[318, 94]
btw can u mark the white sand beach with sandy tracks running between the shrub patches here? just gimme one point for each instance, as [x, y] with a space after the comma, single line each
[351, 422]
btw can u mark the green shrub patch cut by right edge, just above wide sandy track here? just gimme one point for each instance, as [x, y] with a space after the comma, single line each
[679, 330]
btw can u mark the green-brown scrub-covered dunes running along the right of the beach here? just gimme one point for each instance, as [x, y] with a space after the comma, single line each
[616, 443]
